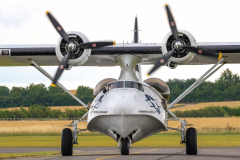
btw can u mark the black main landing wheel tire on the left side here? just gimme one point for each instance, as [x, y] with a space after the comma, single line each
[66, 142]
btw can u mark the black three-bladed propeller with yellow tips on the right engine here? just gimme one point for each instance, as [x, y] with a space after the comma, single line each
[179, 45]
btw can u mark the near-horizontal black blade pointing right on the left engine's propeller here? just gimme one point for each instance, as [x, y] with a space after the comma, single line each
[90, 45]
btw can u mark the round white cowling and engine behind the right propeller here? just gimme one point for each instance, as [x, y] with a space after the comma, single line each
[181, 56]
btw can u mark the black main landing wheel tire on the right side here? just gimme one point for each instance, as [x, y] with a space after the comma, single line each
[191, 141]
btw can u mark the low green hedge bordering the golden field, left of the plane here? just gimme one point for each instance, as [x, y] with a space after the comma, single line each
[39, 111]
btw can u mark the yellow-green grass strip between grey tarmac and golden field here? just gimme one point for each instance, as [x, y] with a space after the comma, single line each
[105, 141]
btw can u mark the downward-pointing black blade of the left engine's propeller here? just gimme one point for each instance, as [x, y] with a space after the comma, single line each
[60, 69]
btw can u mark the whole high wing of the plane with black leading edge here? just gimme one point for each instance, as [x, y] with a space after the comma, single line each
[44, 55]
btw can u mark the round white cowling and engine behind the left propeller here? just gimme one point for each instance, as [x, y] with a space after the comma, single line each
[80, 55]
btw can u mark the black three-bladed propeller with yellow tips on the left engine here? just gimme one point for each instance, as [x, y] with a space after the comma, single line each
[71, 47]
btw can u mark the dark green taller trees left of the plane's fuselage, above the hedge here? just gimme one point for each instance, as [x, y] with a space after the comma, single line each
[42, 95]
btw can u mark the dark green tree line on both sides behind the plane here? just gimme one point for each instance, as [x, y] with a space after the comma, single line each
[225, 88]
